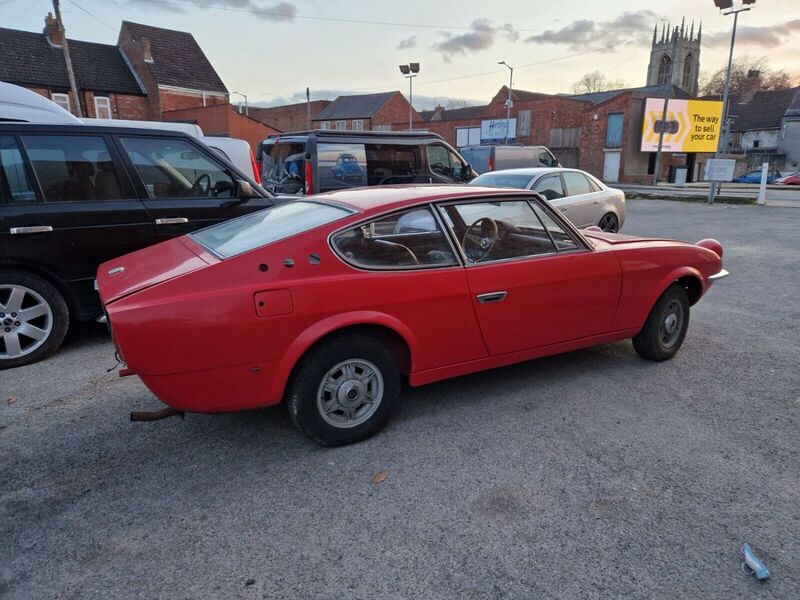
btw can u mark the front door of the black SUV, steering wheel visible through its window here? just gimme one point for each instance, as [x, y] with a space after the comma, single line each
[183, 186]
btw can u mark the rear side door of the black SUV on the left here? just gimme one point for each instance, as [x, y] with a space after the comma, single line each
[85, 210]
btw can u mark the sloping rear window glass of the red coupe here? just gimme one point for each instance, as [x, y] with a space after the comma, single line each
[266, 226]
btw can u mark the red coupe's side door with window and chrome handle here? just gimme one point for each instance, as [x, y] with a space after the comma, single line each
[537, 284]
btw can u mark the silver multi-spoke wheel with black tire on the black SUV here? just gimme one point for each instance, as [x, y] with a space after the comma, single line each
[56, 322]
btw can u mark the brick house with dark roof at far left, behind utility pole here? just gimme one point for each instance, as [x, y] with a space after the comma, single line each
[107, 87]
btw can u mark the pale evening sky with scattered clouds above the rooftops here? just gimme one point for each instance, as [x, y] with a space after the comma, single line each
[271, 50]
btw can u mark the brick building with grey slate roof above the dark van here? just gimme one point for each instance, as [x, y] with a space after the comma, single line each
[387, 111]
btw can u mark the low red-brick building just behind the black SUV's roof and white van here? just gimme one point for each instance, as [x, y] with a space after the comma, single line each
[224, 120]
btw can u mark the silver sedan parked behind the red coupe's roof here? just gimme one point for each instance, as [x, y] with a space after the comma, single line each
[584, 199]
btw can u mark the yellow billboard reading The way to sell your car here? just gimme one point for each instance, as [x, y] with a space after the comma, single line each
[690, 126]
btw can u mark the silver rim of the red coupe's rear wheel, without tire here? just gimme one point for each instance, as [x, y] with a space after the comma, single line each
[350, 393]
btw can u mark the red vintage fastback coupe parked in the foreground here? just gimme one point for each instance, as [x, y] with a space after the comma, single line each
[332, 303]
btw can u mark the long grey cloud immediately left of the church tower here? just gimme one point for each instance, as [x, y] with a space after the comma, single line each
[628, 28]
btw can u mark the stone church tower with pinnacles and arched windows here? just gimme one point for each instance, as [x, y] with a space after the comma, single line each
[676, 51]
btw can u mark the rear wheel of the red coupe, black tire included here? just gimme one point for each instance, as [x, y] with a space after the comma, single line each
[306, 397]
